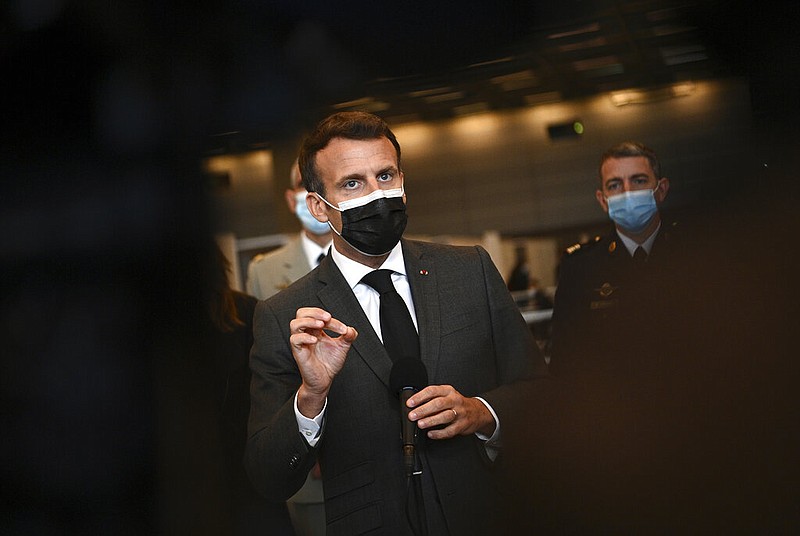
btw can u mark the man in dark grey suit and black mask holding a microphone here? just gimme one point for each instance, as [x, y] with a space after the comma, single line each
[321, 373]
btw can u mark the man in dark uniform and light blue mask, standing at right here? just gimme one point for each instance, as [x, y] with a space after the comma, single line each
[610, 288]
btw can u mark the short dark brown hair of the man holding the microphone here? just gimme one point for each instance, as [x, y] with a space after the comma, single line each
[349, 125]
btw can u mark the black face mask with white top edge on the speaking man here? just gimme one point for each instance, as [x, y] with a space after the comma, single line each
[375, 228]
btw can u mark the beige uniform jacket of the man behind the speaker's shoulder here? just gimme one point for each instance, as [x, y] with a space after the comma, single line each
[274, 271]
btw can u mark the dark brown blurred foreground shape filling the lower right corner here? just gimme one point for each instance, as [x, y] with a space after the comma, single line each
[702, 437]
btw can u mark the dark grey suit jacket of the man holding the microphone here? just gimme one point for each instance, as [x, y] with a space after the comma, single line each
[472, 336]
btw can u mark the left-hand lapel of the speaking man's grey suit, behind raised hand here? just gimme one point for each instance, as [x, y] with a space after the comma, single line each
[337, 297]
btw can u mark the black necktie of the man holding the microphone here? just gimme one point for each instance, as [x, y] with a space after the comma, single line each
[399, 335]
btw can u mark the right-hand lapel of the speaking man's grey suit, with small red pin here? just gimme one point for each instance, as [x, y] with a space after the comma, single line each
[422, 277]
